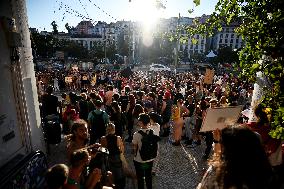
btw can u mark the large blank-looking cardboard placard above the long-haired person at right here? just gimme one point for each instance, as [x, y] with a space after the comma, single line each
[220, 117]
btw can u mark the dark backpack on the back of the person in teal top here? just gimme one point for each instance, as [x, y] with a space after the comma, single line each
[98, 127]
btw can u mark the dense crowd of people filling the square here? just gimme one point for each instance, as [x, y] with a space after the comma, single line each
[106, 110]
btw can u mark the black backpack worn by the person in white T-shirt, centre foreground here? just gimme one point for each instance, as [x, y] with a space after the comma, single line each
[149, 146]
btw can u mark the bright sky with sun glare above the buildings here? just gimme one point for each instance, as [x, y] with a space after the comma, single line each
[42, 12]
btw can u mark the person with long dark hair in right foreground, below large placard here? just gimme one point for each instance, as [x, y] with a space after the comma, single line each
[239, 162]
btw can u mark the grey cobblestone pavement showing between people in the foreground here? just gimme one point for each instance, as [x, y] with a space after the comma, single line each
[179, 167]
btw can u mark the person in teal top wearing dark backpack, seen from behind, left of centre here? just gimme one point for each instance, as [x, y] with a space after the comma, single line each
[97, 120]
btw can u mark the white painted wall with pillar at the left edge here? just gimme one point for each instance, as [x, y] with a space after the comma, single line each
[26, 126]
